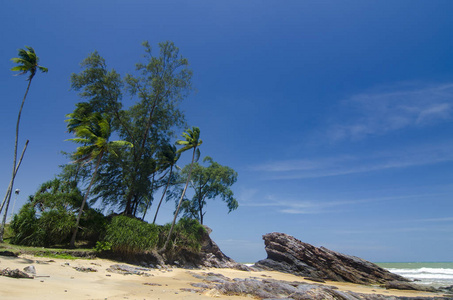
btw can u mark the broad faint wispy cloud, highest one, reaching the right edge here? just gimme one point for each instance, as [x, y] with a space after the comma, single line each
[400, 106]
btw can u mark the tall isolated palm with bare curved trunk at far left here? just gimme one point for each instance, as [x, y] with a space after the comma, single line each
[27, 63]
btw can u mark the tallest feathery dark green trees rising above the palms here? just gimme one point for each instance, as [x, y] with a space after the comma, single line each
[125, 180]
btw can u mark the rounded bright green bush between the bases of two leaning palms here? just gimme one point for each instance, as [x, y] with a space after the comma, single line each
[129, 236]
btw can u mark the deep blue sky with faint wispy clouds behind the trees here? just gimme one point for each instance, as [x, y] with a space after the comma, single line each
[337, 116]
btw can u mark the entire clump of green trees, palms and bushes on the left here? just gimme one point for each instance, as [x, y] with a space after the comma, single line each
[124, 176]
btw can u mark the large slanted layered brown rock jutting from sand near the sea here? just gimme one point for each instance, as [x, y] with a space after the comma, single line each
[287, 254]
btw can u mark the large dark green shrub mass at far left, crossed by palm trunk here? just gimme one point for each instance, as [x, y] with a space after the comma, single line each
[49, 217]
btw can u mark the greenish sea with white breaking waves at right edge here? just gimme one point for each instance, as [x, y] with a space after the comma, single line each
[432, 274]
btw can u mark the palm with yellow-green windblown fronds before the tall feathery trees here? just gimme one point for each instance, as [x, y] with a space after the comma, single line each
[93, 133]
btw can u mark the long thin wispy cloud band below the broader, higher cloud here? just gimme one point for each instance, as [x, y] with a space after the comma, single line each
[348, 164]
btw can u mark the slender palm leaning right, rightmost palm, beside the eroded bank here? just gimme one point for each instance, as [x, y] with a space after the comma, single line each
[192, 141]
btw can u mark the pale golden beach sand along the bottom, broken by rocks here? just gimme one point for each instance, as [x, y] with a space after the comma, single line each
[58, 279]
